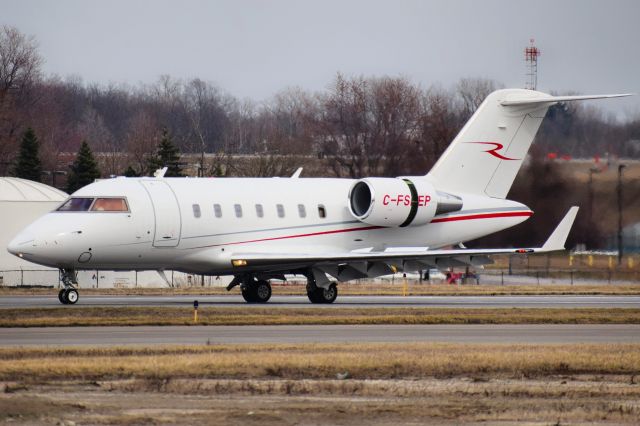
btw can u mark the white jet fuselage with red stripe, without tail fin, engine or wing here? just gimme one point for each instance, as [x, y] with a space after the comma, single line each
[196, 224]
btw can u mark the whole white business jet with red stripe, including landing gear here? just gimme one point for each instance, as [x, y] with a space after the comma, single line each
[325, 229]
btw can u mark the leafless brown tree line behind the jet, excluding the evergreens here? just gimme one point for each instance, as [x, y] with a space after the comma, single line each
[361, 126]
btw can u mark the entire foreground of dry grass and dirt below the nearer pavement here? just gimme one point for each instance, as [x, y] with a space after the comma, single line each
[387, 384]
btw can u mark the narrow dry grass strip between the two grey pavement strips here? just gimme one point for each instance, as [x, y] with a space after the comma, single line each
[132, 316]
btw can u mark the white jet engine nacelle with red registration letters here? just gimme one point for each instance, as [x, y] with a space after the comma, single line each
[403, 201]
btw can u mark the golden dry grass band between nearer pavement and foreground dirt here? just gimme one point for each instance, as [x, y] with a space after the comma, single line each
[315, 361]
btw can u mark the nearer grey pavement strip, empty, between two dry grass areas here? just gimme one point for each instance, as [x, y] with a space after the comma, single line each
[152, 335]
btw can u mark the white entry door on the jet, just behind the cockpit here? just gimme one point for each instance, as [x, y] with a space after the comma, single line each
[166, 212]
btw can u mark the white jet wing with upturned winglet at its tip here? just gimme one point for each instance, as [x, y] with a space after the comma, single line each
[370, 263]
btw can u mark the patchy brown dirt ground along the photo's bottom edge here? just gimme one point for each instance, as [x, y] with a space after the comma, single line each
[566, 399]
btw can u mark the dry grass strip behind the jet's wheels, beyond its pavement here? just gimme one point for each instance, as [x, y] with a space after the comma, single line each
[350, 289]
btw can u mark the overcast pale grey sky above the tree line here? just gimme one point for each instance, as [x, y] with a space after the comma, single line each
[255, 48]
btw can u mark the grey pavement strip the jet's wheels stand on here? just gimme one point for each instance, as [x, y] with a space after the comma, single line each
[555, 301]
